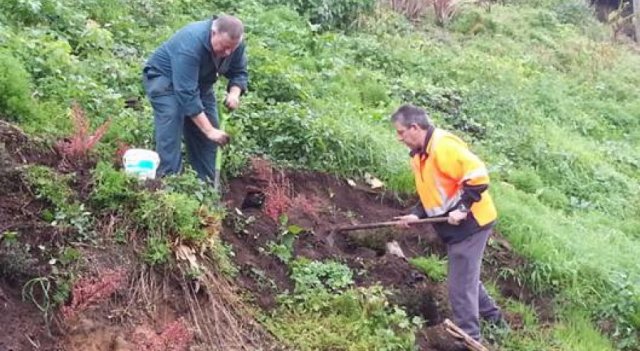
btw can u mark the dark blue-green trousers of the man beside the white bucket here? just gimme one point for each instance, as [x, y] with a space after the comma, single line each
[171, 125]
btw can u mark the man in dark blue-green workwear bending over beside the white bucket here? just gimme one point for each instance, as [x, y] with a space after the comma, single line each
[178, 79]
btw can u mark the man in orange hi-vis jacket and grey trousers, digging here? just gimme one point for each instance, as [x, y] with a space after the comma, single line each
[452, 181]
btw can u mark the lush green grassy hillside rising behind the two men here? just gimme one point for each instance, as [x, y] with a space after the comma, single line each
[537, 87]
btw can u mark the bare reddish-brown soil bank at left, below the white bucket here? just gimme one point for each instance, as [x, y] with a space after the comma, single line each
[106, 310]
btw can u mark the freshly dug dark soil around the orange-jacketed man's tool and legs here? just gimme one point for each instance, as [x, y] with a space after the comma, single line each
[317, 203]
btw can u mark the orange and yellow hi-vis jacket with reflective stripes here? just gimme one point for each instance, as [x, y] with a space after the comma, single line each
[448, 174]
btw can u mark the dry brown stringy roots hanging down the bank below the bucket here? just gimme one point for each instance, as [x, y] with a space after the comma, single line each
[218, 319]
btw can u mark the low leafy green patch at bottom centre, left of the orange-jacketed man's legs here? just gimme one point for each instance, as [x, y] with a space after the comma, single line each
[326, 312]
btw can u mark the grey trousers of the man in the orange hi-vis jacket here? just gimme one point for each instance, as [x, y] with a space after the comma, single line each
[468, 298]
